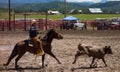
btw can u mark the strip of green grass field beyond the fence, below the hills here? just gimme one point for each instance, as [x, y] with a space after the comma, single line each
[79, 16]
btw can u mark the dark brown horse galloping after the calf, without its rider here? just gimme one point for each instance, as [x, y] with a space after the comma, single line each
[22, 47]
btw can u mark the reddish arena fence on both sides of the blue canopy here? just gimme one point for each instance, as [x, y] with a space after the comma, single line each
[46, 24]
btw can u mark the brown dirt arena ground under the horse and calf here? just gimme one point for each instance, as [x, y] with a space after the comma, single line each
[64, 50]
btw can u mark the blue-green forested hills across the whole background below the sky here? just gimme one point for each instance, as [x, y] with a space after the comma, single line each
[111, 6]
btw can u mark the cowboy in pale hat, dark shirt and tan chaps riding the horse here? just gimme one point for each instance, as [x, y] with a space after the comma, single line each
[34, 40]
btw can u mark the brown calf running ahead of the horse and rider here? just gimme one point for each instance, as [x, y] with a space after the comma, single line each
[92, 51]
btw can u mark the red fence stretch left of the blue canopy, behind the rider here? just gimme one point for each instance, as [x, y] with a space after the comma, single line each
[24, 24]
